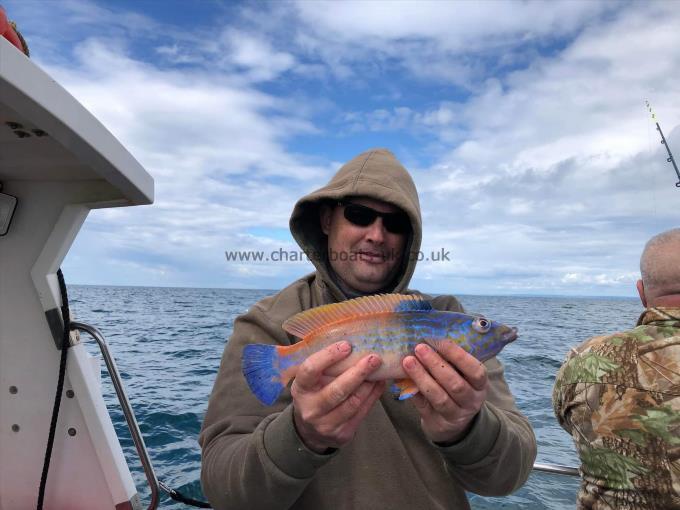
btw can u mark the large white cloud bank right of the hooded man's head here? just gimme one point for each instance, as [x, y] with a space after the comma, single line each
[560, 169]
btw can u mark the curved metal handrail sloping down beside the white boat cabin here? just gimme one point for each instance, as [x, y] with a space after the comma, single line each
[127, 410]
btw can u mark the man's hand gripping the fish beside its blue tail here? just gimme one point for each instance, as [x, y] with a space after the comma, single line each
[327, 411]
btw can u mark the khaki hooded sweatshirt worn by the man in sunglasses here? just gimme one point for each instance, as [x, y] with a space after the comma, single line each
[252, 456]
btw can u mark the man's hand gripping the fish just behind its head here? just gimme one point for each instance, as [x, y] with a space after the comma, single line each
[453, 386]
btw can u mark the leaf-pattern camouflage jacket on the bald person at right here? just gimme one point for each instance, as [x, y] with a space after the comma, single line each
[619, 398]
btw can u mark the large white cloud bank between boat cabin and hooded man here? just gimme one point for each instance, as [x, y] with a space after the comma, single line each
[215, 148]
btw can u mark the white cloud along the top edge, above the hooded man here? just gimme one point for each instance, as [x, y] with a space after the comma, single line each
[435, 40]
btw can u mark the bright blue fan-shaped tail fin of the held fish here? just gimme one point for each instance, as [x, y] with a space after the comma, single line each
[261, 365]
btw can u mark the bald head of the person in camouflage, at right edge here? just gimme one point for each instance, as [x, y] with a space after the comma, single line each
[660, 269]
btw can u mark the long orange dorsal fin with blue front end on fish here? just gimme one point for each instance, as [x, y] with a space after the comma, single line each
[304, 323]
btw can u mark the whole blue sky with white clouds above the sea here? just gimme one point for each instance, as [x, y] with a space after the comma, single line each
[523, 124]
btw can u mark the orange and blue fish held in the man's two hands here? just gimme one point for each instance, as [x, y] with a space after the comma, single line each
[389, 325]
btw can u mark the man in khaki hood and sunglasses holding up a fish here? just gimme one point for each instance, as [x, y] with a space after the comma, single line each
[345, 442]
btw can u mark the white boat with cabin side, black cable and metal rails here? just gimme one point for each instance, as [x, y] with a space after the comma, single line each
[57, 163]
